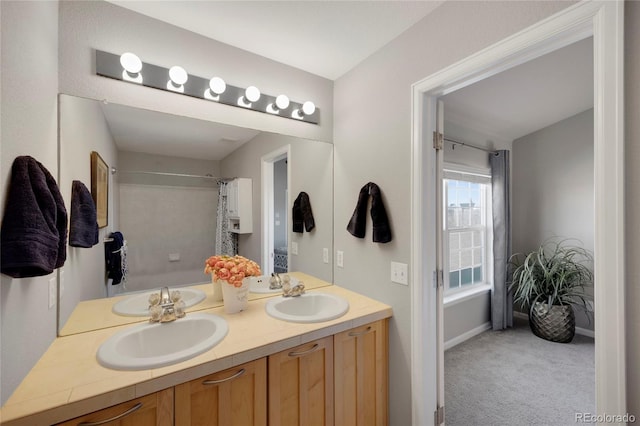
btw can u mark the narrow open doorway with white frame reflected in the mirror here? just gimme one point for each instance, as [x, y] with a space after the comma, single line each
[275, 217]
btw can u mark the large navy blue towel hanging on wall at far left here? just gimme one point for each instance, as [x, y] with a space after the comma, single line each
[33, 238]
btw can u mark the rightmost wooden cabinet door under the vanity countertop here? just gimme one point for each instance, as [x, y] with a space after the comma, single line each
[361, 375]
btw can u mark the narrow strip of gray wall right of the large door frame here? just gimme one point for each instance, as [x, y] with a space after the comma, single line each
[632, 200]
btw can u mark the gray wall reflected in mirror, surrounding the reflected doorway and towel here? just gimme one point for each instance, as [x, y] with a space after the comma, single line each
[311, 170]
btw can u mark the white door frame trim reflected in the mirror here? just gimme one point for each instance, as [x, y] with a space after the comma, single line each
[268, 215]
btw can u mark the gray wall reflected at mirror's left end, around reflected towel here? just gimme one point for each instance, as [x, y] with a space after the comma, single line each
[84, 129]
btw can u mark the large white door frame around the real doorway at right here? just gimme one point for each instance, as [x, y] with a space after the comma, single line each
[604, 21]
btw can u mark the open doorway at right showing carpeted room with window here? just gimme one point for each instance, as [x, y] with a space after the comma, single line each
[540, 115]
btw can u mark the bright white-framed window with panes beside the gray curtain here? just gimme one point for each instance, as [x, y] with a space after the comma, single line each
[467, 230]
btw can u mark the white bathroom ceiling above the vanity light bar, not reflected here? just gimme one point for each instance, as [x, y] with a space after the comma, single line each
[326, 38]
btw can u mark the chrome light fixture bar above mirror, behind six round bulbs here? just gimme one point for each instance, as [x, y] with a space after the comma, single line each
[109, 65]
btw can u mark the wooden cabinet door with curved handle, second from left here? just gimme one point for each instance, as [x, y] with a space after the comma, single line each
[233, 397]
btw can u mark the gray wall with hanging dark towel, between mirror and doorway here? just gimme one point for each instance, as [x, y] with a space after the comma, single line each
[372, 139]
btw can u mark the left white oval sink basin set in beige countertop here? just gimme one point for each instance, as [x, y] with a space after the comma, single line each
[155, 345]
